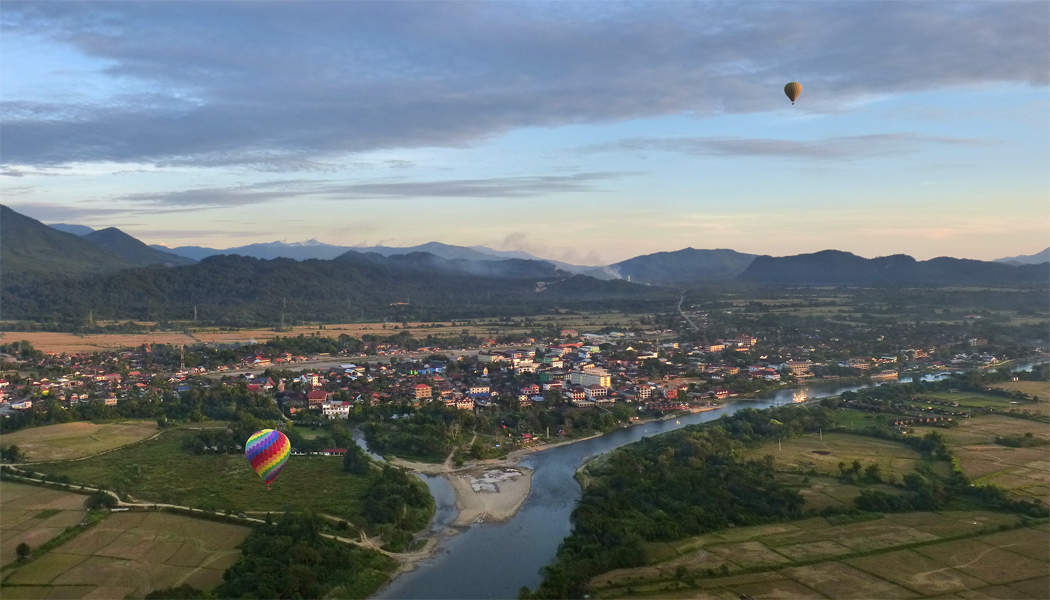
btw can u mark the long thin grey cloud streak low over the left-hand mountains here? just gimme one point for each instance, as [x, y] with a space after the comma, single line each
[529, 187]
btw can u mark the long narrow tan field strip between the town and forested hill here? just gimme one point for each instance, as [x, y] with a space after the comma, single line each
[73, 343]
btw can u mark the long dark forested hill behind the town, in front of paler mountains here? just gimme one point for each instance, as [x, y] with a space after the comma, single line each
[241, 291]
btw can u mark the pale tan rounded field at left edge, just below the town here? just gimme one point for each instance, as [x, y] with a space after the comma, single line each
[77, 440]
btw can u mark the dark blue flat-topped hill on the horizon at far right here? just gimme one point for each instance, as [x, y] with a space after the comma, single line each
[835, 267]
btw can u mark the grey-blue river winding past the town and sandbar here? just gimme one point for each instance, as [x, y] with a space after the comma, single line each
[495, 561]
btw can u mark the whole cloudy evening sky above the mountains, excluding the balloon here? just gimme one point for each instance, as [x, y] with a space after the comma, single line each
[582, 132]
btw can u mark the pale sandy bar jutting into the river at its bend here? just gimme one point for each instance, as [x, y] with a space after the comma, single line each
[488, 495]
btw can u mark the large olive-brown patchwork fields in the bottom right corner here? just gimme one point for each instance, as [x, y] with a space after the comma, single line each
[908, 555]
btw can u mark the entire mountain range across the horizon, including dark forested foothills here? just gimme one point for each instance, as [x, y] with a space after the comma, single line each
[53, 276]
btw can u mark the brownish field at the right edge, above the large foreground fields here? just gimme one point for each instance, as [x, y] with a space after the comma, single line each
[1025, 472]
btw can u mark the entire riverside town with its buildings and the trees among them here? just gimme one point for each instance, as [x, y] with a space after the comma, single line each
[515, 391]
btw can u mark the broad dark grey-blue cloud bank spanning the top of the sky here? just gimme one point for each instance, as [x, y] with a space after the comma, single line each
[293, 87]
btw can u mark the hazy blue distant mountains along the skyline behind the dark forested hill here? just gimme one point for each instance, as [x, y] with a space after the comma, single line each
[681, 268]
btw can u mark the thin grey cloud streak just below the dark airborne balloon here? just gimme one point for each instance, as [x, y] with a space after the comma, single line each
[827, 149]
